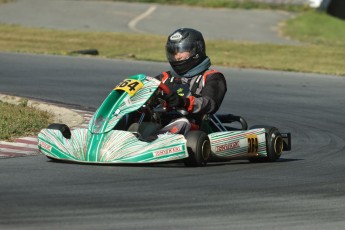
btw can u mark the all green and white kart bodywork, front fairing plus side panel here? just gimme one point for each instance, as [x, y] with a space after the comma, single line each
[101, 143]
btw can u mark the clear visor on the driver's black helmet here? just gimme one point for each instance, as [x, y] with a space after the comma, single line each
[180, 51]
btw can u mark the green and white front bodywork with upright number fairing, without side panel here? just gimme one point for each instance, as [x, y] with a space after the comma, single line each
[99, 143]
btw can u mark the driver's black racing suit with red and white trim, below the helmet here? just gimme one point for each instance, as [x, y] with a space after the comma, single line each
[202, 94]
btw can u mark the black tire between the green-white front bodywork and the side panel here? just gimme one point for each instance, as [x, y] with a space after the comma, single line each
[199, 149]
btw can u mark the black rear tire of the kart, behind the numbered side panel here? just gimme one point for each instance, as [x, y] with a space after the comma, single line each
[274, 144]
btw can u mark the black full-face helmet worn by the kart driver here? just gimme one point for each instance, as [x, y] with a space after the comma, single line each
[185, 40]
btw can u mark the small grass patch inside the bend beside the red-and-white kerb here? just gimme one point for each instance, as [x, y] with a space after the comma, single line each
[19, 120]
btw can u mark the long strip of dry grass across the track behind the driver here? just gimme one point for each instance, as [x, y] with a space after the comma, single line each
[317, 57]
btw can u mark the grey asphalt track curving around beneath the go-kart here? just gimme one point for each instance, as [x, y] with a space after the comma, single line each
[304, 190]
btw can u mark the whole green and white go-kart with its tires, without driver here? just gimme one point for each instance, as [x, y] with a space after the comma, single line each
[122, 128]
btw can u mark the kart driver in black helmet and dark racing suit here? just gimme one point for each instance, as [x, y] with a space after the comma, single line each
[194, 87]
